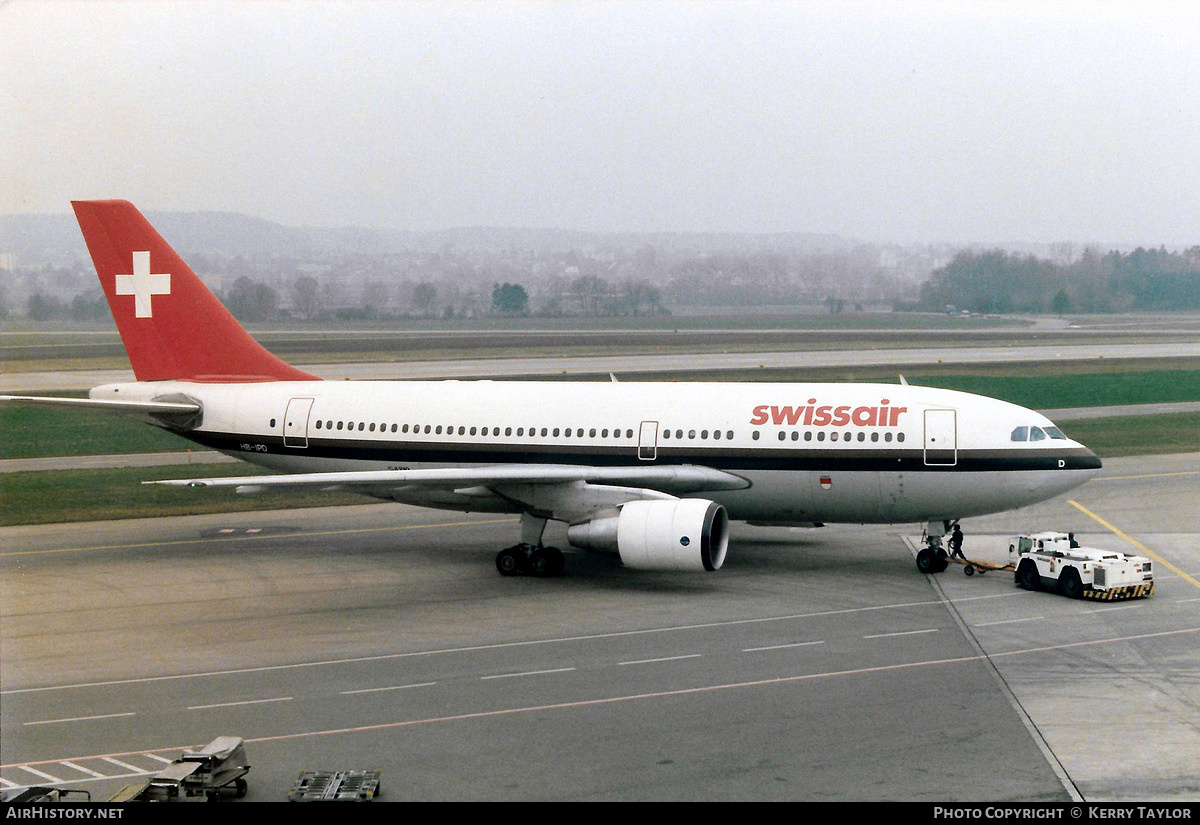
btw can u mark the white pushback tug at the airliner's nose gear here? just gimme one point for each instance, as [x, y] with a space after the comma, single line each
[1049, 561]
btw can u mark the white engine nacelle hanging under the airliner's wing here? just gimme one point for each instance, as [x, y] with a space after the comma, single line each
[685, 535]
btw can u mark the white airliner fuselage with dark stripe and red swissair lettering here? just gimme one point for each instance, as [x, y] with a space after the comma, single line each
[811, 453]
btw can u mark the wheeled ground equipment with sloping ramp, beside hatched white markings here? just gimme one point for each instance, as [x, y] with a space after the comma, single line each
[219, 767]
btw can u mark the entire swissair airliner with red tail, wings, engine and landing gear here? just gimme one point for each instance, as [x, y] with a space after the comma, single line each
[655, 473]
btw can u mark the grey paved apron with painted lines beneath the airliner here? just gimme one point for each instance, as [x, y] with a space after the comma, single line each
[818, 665]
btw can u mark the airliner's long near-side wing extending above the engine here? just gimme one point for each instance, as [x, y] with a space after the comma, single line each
[557, 491]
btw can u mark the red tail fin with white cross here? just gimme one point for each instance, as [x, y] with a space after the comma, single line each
[171, 324]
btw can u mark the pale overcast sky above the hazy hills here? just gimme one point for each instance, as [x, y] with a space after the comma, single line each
[902, 122]
